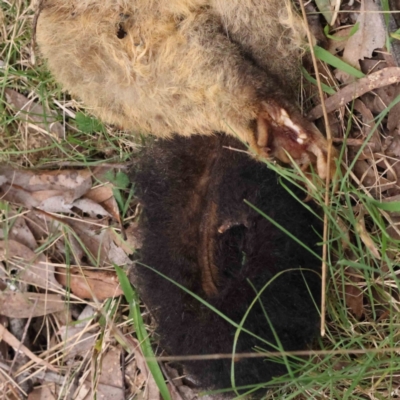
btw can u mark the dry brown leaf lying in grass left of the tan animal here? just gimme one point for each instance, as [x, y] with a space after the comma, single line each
[34, 113]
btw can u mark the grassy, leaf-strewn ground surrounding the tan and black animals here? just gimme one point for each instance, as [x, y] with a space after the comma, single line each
[77, 177]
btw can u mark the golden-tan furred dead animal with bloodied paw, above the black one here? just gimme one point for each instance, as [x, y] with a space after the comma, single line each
[186, 66]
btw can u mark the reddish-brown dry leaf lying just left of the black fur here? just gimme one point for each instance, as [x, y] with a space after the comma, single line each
[98, 284]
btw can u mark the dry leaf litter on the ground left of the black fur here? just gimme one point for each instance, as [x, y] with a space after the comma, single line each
[51, 214]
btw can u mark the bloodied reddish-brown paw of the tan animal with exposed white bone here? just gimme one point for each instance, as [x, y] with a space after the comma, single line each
[287, 137]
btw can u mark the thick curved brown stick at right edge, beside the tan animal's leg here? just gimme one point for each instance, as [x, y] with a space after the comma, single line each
[386, 76]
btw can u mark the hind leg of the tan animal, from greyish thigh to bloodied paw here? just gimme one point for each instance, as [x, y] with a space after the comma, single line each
[271, 34]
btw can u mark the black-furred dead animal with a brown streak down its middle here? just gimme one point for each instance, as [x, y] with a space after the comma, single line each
[199, 232]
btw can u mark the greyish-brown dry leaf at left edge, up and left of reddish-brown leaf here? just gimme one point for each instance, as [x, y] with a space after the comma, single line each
[32, 268]
